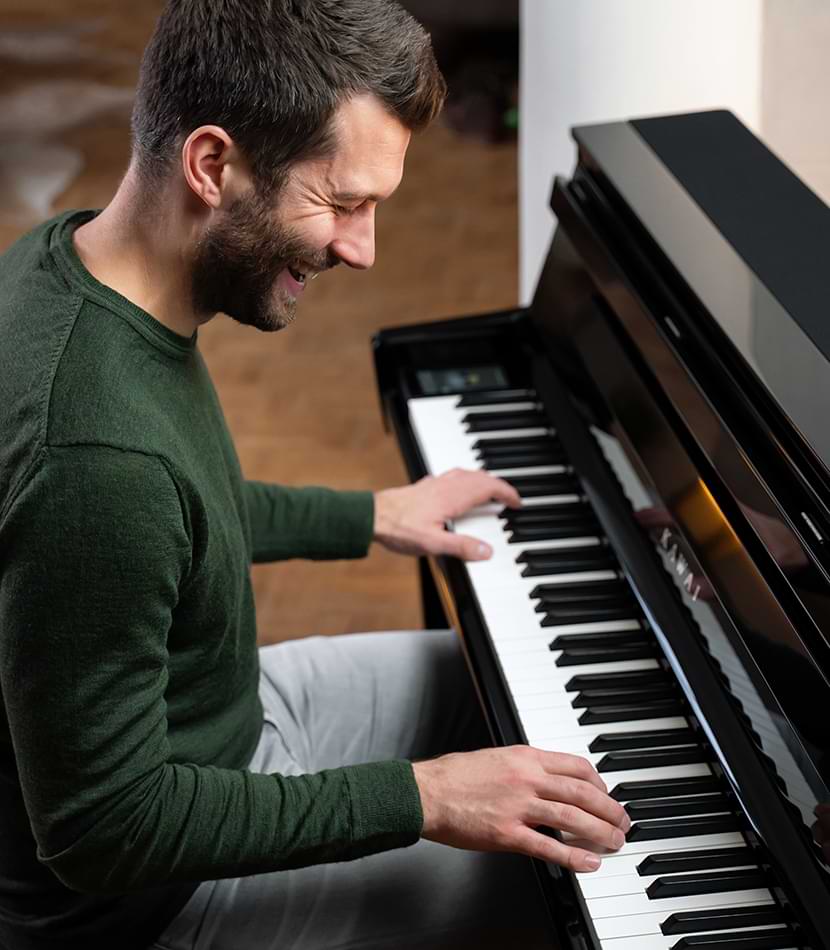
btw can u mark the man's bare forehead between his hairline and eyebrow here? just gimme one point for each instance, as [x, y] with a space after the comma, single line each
[369, 153]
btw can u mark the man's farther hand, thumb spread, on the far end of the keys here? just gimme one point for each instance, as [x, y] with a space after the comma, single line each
[412, 519]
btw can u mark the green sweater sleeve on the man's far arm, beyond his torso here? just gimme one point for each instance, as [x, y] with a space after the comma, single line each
[316, 523]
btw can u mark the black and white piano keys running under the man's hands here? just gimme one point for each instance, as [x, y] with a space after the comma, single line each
[586, 677]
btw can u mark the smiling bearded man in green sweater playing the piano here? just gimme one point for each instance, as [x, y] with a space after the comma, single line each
[146, 745]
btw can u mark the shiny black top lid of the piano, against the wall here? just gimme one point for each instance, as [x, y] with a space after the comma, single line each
[747, 236]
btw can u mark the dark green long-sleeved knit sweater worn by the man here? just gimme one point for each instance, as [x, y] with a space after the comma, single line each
[128, 660]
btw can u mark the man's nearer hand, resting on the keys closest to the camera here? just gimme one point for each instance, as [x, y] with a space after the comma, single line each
[494, 799]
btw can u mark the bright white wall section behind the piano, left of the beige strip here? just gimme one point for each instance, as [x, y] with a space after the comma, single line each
[586, 61]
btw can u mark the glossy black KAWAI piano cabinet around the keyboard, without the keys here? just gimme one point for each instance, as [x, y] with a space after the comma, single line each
[678, 343]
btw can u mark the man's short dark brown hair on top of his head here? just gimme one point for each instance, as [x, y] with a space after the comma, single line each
[272, 73]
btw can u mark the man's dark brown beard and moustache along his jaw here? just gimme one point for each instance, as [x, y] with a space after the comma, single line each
[238, 261]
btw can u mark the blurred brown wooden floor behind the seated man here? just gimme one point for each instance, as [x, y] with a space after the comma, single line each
[301, 403]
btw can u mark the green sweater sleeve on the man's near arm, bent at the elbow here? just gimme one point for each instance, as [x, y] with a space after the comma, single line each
[95, 552]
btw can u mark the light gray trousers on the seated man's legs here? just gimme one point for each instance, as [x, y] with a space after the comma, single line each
[333, 701]
